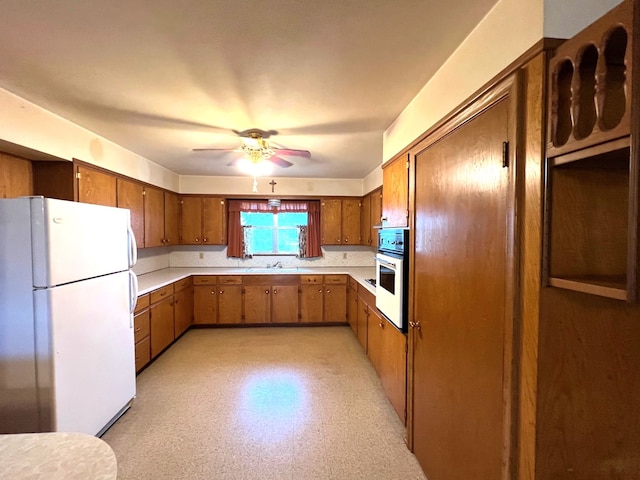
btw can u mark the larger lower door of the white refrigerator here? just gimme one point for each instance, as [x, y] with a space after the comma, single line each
[85, 356]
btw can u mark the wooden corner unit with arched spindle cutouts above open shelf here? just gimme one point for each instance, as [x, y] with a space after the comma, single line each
[591, 213]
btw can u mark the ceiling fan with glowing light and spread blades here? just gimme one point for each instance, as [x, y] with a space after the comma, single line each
[256, 148]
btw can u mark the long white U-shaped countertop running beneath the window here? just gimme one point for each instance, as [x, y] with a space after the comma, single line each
[160, 278]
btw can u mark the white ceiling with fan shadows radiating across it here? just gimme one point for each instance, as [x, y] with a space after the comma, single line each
[161, 77]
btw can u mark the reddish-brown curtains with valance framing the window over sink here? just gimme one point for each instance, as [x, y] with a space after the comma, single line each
[236, 233]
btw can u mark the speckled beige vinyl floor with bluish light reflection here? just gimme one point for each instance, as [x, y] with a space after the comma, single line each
[262, 403]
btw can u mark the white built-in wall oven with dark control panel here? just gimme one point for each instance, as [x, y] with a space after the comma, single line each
[392, 262]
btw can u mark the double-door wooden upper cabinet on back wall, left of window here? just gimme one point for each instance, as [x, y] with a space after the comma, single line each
[203, 221]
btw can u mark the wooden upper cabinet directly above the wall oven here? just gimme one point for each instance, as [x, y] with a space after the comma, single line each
[395, 194]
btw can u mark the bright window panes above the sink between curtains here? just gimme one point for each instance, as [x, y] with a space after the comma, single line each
[273, 233]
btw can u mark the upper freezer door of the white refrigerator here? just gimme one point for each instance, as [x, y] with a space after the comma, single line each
[74, 241]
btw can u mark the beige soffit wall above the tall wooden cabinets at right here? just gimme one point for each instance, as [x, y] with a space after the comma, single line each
[506, 32]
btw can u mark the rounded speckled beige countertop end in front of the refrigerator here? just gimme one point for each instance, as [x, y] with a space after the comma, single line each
[56, 456]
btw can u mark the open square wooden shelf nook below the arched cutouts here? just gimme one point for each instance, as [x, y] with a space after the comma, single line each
[587, 220]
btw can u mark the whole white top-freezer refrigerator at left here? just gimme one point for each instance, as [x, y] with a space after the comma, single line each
[67, 295]
